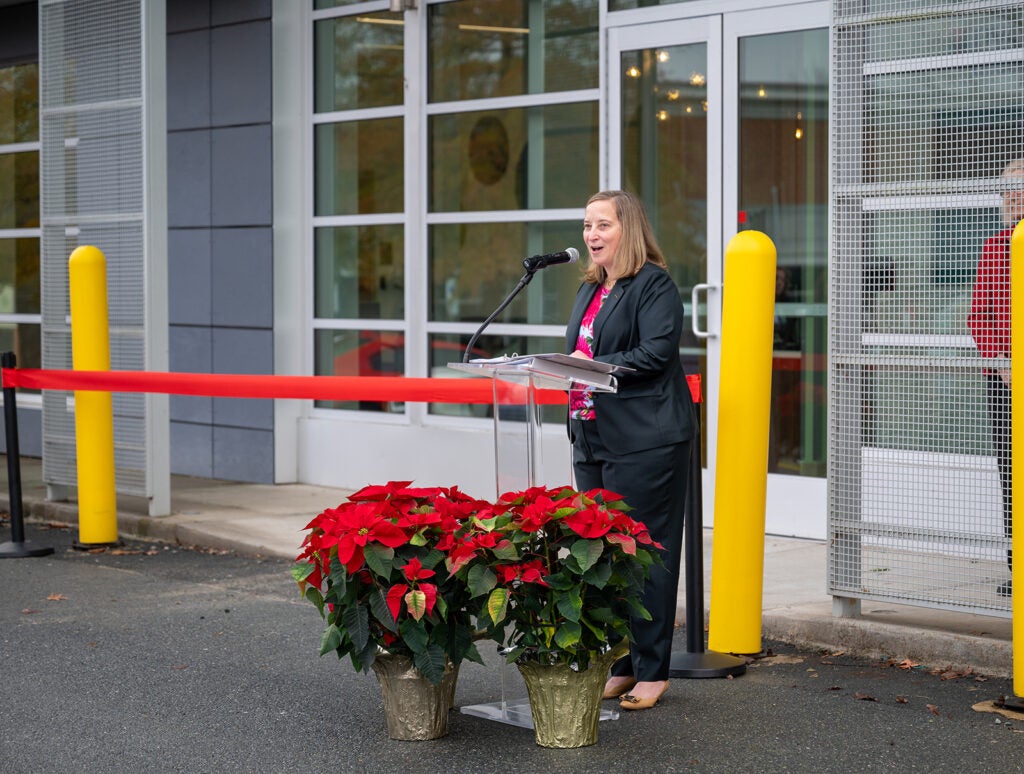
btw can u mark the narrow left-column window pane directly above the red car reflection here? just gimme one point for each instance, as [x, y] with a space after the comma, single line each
[360, 272]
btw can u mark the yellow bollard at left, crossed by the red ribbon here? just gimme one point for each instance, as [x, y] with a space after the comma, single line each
[98, 508]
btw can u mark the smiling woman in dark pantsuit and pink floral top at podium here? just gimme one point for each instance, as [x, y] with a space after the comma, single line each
[635, 442]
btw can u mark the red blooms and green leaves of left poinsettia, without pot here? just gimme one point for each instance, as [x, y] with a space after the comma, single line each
[379, 568]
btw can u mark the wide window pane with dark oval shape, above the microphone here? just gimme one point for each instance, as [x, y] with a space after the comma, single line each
[518, 159]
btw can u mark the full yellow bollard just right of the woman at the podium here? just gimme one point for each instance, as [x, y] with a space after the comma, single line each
[742, 459]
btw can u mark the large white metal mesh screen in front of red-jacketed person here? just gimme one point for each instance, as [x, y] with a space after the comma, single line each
[928, 112]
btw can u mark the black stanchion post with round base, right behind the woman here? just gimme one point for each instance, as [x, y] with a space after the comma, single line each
[698, 663]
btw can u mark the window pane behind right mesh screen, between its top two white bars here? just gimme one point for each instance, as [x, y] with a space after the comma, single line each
[918, 128]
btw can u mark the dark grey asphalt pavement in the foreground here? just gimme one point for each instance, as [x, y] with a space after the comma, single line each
[155, 658]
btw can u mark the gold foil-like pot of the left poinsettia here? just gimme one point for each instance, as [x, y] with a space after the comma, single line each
[415, 708]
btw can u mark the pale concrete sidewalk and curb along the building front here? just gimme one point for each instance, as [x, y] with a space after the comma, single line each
[269, 521]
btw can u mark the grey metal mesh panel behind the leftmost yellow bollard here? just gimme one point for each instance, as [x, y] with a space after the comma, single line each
[93, 193]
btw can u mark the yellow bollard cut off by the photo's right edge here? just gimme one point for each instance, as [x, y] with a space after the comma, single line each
[1017, 448]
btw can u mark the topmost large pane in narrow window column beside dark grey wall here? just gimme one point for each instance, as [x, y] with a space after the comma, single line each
[359, 62]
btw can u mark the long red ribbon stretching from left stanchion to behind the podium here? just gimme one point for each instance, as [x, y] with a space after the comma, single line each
[429, 391]
